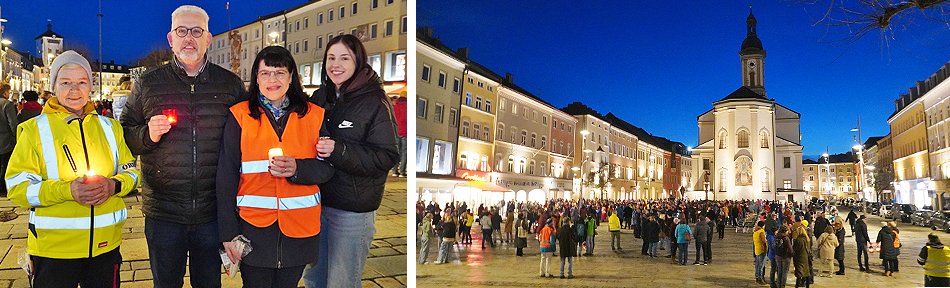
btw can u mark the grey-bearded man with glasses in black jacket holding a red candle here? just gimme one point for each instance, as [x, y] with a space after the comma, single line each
[174, 119]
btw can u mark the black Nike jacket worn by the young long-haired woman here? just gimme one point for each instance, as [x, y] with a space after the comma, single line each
[362, 123]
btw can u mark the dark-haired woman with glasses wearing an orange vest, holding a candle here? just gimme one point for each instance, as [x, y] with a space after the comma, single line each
[268, 195]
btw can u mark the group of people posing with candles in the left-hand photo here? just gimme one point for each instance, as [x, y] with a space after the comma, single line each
[221, 165]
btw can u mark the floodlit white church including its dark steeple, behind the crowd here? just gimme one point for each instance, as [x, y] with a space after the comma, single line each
[749, 145]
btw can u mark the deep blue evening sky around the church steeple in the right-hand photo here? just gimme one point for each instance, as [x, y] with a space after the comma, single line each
[660, 64]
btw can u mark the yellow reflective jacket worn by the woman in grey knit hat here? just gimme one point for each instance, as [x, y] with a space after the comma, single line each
[40, 174]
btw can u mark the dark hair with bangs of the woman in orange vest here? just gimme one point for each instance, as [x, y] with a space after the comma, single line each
[277, 56]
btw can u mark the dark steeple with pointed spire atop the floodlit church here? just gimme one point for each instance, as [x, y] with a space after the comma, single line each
[752, 57]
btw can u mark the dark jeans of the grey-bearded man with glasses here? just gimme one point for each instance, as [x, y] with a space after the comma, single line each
[169, 247]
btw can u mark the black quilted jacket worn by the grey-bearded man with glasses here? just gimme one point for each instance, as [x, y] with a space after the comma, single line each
[180, 169]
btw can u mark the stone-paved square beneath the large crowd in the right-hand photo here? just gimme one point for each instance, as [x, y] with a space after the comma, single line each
[732, 264]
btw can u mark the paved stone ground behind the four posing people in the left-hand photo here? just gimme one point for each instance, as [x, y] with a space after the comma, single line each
[385, 266]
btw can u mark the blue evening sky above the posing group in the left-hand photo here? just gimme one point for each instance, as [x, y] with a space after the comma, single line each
[130, 29]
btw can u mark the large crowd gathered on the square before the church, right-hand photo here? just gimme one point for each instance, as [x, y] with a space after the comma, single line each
[796, 236]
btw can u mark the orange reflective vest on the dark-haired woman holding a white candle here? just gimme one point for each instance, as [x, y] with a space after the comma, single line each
[264, 199]
